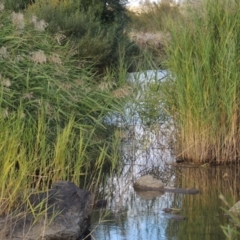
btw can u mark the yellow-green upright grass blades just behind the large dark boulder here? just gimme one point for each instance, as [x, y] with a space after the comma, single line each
[29, 160]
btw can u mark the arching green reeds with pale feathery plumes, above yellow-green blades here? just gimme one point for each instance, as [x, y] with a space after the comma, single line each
[36, 72]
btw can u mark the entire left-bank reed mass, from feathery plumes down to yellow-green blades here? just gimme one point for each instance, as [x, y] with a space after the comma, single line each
[52, 109]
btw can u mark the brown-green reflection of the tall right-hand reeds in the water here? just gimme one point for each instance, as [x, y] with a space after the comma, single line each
[204, 211]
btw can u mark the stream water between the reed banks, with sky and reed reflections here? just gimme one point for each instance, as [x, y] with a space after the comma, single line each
[140, 216]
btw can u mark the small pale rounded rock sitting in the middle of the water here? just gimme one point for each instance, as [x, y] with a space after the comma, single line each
[148, 182]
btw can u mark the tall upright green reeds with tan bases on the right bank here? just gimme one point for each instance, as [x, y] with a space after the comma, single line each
[203, 95]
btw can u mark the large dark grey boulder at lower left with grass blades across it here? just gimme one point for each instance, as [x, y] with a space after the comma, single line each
[62, 213]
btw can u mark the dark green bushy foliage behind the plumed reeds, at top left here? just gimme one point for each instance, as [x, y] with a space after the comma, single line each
[96, 27]
